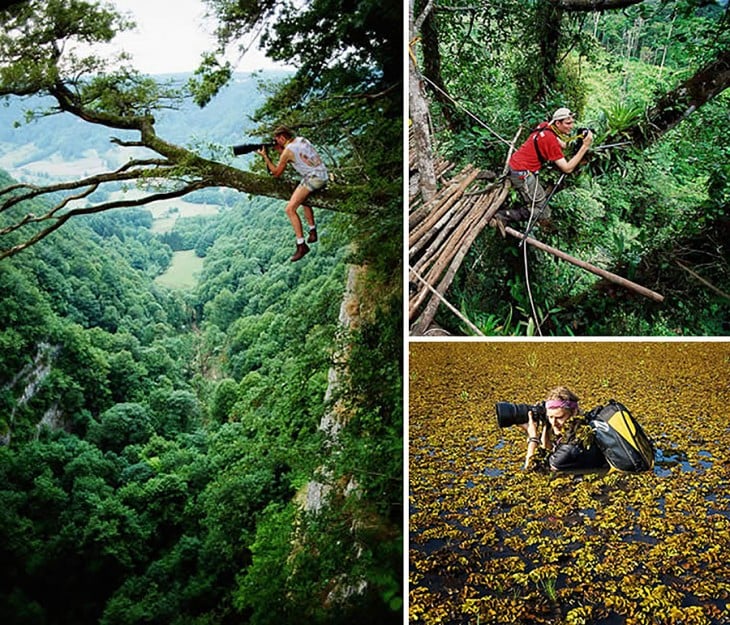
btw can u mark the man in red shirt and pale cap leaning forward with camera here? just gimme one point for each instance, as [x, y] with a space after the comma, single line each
[545, 144]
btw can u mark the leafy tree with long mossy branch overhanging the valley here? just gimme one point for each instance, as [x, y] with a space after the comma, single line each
[346, 92]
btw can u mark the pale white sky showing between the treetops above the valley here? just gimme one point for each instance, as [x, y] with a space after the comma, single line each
[171, 35]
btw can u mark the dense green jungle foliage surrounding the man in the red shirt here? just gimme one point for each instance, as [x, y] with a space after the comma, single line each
[652, 208]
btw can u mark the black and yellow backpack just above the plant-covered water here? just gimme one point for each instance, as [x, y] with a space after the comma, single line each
[621, 439]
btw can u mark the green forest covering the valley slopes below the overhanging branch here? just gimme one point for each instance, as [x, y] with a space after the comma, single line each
[155, 440]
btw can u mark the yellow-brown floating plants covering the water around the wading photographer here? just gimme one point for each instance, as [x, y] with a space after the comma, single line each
[491, 543]
